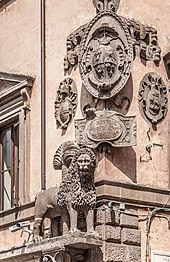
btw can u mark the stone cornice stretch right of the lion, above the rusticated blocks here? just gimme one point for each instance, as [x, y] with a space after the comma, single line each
[133, 194]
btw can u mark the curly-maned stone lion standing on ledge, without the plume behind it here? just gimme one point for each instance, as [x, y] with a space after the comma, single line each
[76, 195]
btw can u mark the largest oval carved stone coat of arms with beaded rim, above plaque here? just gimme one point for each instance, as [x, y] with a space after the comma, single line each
[106, 55]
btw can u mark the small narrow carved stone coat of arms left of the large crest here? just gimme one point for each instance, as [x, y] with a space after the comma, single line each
[66, 103]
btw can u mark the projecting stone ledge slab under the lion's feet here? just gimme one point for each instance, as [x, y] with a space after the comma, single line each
[29, 251]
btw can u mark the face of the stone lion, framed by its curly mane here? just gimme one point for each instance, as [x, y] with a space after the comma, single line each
[84, 164]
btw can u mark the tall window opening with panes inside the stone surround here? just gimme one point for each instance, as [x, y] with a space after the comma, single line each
[9, 166]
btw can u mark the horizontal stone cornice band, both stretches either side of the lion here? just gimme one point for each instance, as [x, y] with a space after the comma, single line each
[131, 194]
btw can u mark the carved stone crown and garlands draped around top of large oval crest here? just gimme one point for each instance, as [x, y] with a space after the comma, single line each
[143, 37]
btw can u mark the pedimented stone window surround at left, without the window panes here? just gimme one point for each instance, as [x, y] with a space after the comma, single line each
[15, 93]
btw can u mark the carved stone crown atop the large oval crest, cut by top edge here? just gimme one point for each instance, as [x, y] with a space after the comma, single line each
[109, 5]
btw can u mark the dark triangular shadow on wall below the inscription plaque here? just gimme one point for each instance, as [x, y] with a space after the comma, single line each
[124, 159]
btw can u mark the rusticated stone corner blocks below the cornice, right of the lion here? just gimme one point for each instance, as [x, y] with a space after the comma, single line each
[120, 232]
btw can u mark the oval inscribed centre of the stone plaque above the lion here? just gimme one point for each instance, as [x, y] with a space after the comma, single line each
[104, 129]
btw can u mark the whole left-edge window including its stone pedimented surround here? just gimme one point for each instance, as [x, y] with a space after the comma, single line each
[14, 139]
